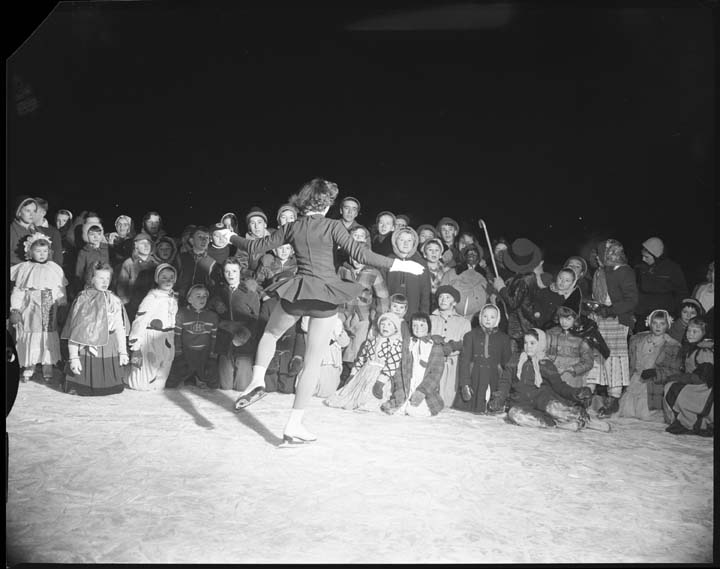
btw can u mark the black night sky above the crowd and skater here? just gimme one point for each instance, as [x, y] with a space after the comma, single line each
[528, 116]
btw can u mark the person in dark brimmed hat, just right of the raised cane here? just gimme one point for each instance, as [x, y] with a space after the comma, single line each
[524, 259]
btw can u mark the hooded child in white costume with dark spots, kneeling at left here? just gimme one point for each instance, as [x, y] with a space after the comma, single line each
[152, 334]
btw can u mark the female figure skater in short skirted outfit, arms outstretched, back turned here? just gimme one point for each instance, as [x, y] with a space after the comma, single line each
[315, 291]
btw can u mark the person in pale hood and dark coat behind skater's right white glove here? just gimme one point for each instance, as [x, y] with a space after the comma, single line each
[415, 288]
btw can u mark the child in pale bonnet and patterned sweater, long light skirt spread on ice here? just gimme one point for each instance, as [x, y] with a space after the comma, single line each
[374, 368]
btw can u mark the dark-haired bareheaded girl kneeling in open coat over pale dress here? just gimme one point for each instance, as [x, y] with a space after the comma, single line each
[416, 385]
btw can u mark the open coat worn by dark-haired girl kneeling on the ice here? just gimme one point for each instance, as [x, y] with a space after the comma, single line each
[430, 384]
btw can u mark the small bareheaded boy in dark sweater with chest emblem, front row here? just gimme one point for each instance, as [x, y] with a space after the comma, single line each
[195, 333]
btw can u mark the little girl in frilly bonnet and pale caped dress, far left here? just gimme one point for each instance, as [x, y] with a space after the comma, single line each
[39, 289]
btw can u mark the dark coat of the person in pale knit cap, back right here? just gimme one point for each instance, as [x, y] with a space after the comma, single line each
[661, 286]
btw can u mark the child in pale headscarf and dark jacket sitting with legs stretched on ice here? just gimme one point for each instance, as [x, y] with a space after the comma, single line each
[536, 394]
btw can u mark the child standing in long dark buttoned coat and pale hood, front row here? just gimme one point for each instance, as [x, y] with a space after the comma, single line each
[485, 353]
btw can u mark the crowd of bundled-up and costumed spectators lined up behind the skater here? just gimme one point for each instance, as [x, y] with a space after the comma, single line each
[483, 329]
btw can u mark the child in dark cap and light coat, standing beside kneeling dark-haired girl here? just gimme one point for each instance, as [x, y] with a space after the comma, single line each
[450, 327]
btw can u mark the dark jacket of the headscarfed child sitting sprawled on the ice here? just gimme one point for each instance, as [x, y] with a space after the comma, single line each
[523, 391]
